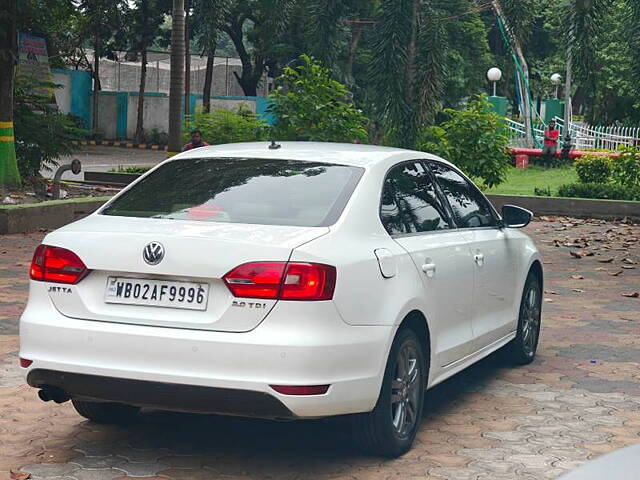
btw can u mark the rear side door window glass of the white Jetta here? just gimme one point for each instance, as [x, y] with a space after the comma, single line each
[410, 203]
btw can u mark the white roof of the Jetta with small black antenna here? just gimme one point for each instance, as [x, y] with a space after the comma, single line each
[342, 153]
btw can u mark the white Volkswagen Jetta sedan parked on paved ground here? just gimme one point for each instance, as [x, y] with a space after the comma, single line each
[293, 280]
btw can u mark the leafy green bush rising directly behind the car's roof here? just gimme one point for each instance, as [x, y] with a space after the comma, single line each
[310, 105]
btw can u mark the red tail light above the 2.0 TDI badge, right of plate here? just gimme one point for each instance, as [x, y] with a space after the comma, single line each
[282, 280]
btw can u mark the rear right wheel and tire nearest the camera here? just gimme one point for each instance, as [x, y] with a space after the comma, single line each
[390, 428]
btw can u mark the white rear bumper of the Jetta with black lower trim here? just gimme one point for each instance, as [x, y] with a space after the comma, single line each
[183, 369]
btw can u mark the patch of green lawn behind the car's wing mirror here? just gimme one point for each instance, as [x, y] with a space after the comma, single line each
[523, 181]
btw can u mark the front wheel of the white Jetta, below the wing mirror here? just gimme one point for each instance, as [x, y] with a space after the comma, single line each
[522, 349]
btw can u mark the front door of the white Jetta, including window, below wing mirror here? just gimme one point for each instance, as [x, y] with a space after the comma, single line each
[494, 256]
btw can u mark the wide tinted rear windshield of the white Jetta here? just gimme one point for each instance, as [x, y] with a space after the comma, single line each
[241, 190]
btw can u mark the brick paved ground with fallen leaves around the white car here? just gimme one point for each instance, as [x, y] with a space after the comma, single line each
[579, 399]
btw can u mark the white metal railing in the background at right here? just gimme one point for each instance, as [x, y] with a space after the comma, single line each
[583, 136]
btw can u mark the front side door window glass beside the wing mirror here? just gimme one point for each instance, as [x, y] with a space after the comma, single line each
[468, 205]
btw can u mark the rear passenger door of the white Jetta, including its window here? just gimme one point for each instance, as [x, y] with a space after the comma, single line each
[414, 216]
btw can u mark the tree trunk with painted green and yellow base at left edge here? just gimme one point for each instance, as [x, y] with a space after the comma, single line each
[9, 175]
